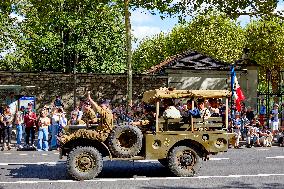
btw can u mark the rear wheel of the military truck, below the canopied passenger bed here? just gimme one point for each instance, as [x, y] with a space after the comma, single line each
[183, 161]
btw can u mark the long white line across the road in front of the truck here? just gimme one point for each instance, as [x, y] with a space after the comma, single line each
[137, 179]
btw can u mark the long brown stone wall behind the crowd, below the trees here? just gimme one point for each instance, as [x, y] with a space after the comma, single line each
[48, 85]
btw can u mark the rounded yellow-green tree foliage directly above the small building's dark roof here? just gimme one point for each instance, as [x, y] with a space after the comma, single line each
[212, 34]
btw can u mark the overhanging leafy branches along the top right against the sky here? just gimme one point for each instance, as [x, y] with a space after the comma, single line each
[232, 8]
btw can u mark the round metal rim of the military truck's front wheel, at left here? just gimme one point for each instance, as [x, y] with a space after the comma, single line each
[85, 162]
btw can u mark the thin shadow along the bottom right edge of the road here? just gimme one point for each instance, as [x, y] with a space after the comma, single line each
[237, 185]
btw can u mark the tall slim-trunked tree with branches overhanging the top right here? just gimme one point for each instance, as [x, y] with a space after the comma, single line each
[188, 7]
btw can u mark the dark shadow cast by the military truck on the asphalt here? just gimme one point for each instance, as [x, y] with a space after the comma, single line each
[115, 169]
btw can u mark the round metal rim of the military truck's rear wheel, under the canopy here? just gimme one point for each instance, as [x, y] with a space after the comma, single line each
[186, 159]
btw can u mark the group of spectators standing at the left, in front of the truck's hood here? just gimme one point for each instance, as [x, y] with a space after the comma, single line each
[47, 125]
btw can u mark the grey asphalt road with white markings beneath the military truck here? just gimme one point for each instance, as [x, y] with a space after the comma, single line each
[238, 168]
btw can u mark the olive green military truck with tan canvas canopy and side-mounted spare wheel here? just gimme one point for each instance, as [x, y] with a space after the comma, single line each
[177, 144]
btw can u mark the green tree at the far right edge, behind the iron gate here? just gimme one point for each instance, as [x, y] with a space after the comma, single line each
[265, 39]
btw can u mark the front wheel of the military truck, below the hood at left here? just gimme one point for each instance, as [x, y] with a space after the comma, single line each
[84, 163]
